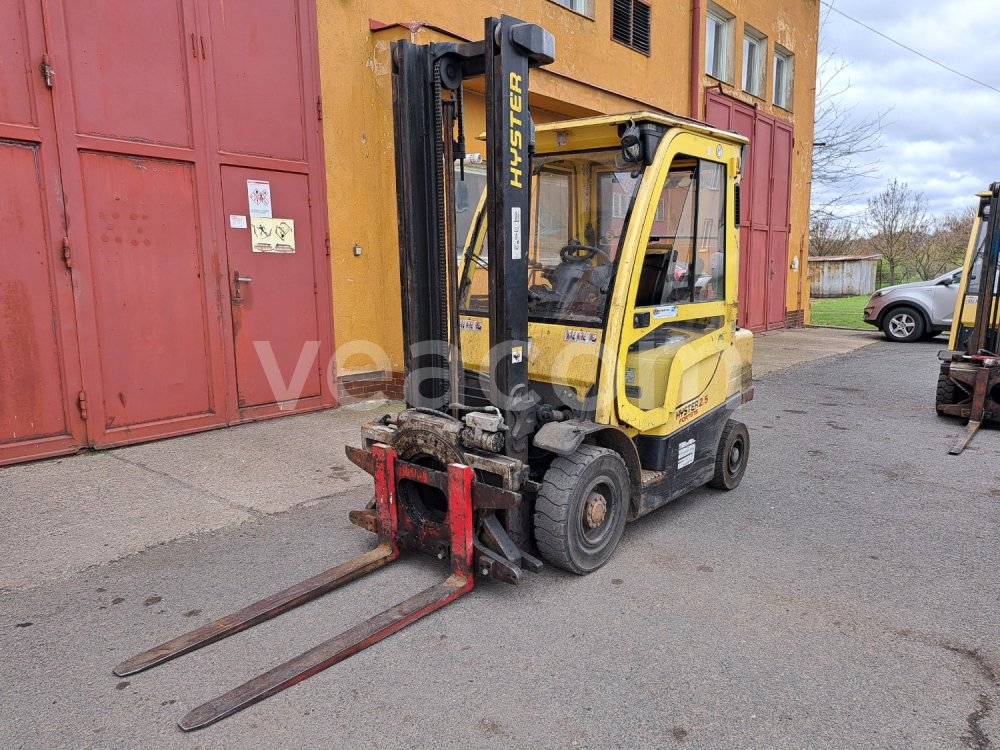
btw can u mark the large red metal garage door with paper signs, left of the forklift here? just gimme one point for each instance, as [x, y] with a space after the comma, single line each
[128, 132]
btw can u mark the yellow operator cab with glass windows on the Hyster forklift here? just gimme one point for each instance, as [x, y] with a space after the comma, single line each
[631, 261]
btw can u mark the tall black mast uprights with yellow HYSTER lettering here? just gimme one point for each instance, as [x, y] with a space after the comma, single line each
[428, 83]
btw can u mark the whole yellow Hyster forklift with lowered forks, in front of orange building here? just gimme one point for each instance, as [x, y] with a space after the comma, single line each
[574, 363]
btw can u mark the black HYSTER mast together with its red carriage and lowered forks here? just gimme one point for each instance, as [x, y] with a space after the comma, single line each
[426, 151]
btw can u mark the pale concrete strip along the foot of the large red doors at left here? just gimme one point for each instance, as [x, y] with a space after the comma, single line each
[64, 515]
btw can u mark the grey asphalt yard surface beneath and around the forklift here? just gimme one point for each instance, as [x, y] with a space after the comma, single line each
[845, 595]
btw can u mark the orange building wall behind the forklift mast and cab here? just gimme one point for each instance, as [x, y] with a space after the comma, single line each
[592, 74]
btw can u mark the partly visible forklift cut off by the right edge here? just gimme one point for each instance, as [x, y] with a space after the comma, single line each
[969, 380]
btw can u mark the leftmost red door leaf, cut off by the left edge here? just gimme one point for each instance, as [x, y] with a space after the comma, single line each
[39, 362]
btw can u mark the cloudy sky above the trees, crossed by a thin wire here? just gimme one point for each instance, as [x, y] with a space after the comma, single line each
[942, 135]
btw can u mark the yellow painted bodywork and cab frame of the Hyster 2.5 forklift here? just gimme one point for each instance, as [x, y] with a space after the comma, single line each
[650, 369]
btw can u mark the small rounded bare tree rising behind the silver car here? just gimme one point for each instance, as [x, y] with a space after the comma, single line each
[897, 225]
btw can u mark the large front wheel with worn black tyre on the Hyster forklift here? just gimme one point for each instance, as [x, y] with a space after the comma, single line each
[581, 509]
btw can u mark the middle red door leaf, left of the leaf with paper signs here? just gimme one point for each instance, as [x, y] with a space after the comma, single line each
[132, 146]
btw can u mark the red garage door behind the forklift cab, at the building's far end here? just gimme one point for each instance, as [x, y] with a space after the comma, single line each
[764, 209]
